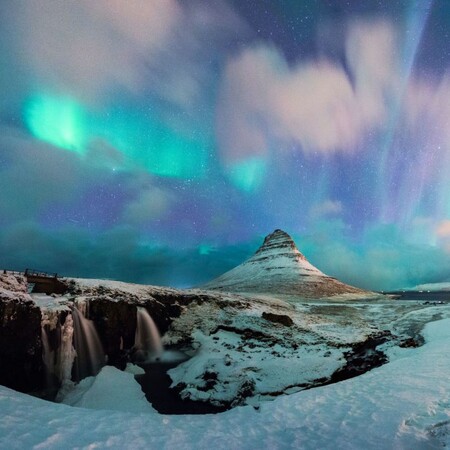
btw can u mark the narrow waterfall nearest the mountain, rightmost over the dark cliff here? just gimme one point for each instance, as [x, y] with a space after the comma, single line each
[147, 342]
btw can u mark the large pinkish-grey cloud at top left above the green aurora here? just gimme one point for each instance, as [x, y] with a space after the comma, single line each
[94, 45]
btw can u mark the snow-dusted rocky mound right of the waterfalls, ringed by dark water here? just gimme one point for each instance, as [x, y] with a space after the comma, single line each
[239, 356]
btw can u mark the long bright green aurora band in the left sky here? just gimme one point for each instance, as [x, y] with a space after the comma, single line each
[143, 141]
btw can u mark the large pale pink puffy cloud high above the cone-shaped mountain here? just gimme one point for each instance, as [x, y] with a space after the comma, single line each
[316, 105]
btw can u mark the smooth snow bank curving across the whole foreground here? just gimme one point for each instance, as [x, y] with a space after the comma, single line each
[404, 405]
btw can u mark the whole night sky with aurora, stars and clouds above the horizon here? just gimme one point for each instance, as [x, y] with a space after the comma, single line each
[158, 141]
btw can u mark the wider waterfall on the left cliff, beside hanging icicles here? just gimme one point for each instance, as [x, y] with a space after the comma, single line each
[90, 357]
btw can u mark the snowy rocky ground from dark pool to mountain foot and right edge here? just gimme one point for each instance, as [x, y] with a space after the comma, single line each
[240, 357]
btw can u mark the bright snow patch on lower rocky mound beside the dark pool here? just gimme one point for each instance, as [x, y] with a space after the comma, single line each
[236, 364]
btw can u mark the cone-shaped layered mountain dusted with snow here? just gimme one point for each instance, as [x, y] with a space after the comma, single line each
[278, 267]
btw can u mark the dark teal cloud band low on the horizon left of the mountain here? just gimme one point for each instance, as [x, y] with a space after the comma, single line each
[119, 253]
